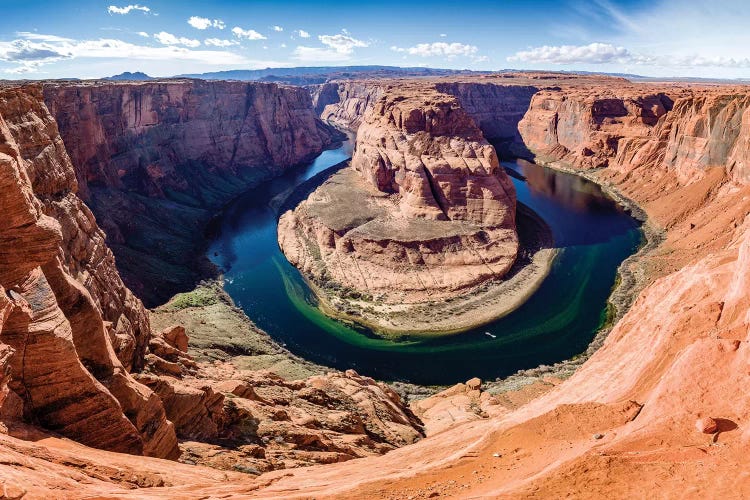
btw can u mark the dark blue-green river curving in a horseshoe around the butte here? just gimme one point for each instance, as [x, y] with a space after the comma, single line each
[593, 233]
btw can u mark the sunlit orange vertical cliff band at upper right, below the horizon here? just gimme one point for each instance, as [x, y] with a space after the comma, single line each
[681, 132]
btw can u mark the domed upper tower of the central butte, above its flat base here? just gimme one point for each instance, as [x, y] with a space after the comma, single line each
[430, 152]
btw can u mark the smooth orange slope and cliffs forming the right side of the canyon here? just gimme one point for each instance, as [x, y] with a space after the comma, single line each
[628, 420]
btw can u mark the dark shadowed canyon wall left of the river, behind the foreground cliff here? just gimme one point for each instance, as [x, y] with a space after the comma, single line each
[156, 160]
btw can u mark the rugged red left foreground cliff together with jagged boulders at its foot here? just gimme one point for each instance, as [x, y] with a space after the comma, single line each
[71, 333]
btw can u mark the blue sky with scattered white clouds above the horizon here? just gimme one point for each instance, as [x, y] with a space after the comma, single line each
[91, 39]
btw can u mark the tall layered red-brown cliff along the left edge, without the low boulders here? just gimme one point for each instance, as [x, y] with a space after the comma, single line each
[67, 316]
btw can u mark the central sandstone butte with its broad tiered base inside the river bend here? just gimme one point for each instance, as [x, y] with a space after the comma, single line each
[423, 213]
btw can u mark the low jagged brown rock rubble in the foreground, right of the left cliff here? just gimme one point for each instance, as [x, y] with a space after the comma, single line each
[266, 422]
